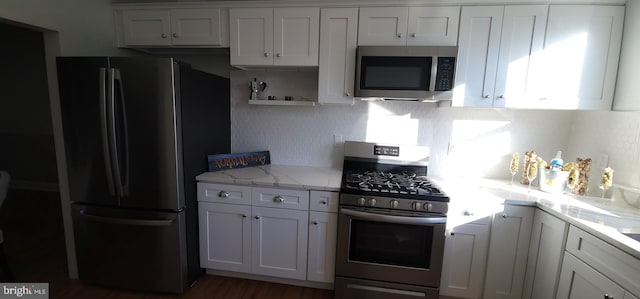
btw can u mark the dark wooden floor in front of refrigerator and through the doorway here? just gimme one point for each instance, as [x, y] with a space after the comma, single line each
[34, 247]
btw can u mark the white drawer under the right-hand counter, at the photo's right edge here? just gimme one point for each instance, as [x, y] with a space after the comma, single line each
[617, 265]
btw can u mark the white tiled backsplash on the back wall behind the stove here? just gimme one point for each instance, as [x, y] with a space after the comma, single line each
[482, 139]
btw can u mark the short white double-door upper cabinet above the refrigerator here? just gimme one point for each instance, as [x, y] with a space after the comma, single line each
[204, 27]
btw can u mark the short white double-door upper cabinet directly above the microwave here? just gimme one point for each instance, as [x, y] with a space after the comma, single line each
[399, 26]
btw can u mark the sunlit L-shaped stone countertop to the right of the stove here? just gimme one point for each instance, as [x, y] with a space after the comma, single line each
[604, 218]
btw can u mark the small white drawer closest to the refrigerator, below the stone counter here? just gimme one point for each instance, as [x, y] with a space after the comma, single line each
[224, 193]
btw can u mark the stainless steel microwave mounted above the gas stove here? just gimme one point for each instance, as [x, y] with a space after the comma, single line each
[420, 73]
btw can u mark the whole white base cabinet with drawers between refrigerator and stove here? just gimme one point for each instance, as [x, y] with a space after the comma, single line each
[274, 234]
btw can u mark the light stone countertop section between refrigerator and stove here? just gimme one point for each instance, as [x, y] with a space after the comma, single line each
[286, 176]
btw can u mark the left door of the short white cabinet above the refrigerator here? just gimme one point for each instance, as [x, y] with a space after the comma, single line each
[146, 27]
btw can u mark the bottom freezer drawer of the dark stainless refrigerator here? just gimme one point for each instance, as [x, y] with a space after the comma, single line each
[132, 249]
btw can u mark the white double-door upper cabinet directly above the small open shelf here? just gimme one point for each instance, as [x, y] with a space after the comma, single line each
[280, 36]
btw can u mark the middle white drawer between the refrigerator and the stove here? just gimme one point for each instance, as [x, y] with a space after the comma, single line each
[281, 198]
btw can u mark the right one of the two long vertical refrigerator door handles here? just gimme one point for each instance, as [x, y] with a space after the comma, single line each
[121, 118]
